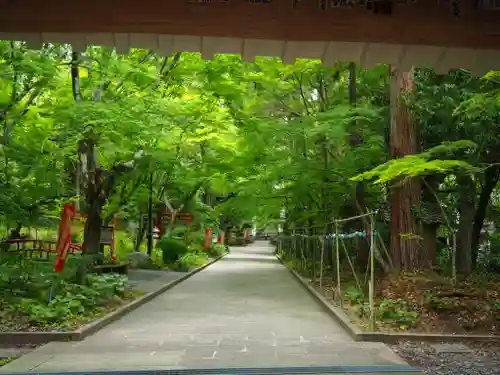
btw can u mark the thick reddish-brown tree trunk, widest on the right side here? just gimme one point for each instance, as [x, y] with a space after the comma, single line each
[404, 140]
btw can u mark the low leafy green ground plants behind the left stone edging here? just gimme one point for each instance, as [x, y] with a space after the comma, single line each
[25, 288]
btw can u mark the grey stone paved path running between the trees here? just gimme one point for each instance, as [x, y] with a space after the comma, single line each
[243, 311]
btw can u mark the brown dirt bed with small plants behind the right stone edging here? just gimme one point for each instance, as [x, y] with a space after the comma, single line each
[425, 303]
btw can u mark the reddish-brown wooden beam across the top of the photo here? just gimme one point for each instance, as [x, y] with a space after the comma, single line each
[422, 23]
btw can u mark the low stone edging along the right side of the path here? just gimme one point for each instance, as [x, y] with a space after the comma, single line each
[358, 335]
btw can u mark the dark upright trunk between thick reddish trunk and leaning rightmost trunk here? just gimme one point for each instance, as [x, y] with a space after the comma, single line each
[466, 195]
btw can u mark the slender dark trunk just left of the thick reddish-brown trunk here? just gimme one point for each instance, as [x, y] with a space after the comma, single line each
[359, 195]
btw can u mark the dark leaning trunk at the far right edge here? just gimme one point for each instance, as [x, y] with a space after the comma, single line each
[491, 176]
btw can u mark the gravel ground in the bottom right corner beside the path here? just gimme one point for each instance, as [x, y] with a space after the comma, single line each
[481, 360]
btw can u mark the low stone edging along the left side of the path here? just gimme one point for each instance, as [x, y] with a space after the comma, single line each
[39, 338]
